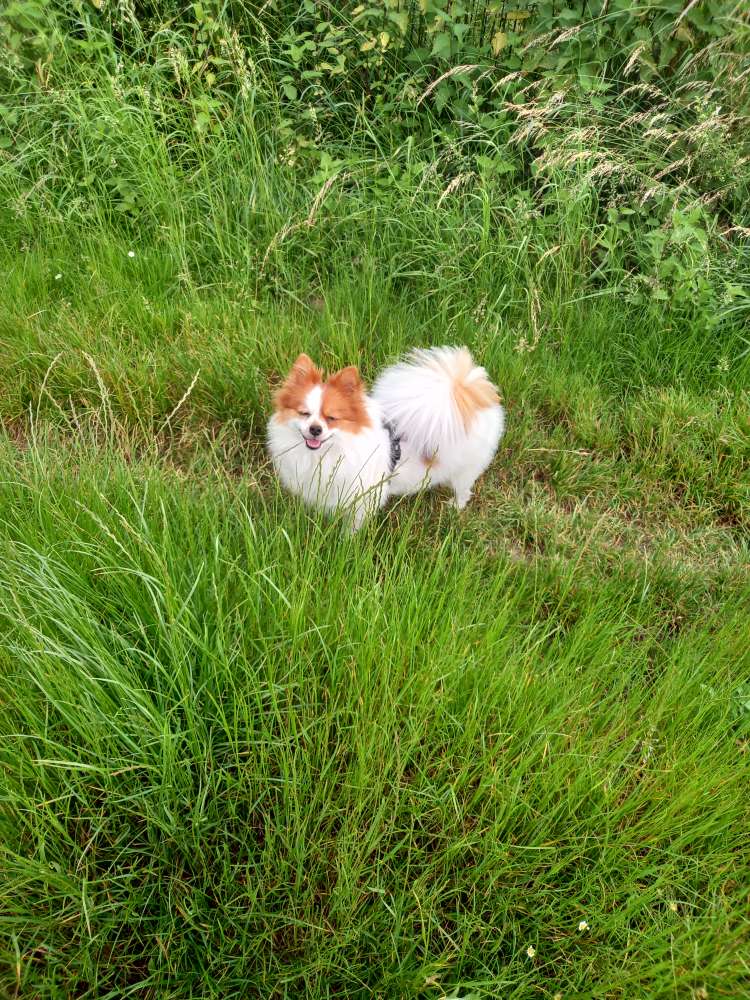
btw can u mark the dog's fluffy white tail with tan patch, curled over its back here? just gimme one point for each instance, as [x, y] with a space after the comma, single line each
[433, 397]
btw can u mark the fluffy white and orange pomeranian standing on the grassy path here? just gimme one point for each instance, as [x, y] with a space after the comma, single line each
[433, 419]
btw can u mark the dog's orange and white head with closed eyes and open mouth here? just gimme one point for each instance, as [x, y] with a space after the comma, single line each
[322, 409]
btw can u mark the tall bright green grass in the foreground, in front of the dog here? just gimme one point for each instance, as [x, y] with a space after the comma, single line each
[244, 756]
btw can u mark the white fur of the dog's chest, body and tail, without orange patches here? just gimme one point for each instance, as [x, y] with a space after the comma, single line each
[353, 470]
